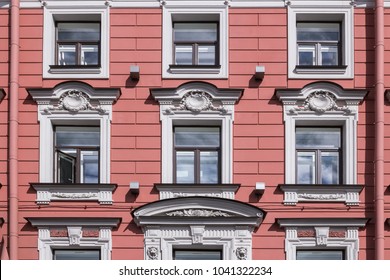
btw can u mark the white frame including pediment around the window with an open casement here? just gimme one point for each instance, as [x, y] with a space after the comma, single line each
[54, 109]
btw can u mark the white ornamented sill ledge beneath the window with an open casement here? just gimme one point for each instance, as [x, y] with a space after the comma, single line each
[48, 192]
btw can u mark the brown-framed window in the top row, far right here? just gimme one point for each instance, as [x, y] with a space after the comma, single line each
[318, 44]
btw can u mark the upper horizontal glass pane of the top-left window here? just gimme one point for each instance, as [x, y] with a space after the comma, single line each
[78, 31]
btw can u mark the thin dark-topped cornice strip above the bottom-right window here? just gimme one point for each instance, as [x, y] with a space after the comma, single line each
[320, 222]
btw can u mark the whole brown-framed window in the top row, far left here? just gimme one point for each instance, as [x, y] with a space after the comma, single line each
[78, 43]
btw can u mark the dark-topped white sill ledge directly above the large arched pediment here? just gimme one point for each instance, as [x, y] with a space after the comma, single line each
[184, 190]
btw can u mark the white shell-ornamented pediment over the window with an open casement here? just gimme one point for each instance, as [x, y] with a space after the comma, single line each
[75, 97]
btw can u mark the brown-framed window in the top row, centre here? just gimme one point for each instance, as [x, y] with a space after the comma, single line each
[195, 43]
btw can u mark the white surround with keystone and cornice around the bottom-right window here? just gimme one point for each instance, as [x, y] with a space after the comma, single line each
[322, 239]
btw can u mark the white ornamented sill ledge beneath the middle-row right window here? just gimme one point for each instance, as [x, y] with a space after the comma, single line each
[293, 193]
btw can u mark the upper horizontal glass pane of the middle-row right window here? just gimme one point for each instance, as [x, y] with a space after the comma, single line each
[318, 137]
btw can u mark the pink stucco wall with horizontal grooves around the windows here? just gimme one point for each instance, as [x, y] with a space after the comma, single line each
[256, 37]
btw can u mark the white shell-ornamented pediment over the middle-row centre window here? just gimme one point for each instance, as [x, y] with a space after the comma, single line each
[196, 98]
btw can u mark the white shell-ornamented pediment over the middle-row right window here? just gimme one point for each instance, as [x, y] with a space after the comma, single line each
[320, 98]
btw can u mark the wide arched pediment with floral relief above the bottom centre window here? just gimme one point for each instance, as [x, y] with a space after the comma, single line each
[198, 210]
